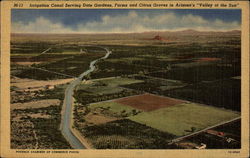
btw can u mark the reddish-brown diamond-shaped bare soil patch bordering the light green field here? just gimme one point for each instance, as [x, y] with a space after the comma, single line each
[148, 102]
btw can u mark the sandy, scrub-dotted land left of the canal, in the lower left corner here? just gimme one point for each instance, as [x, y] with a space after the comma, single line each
[35, 115]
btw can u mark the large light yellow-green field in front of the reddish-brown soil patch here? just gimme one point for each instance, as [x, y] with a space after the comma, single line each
[180, 119]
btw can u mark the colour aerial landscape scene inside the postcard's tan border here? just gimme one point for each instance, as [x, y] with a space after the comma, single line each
[125, 79]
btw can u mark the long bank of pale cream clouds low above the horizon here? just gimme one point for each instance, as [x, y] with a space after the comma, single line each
[130, 22]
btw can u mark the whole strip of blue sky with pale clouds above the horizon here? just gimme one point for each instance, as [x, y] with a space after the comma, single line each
[122, 20]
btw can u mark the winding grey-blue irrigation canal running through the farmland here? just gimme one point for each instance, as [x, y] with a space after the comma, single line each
[67, 105]
